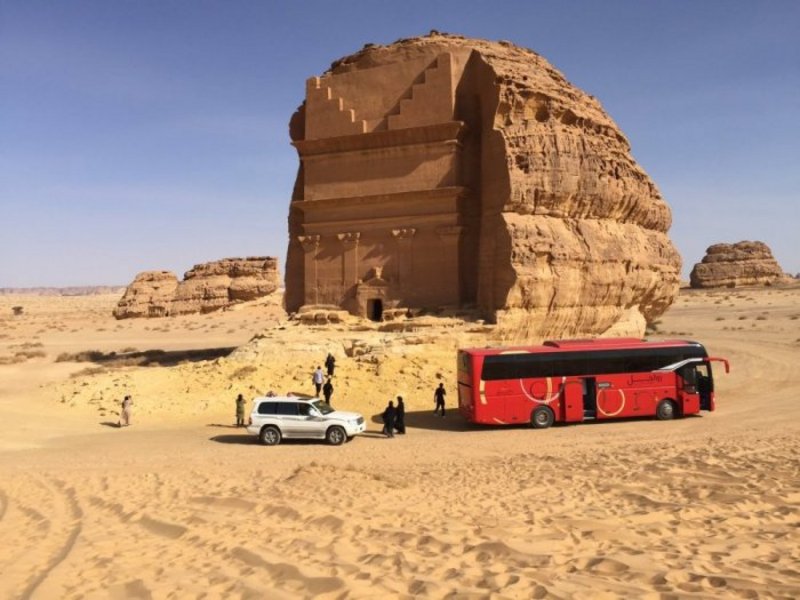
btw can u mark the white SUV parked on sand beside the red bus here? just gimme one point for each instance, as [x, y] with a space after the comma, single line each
[276, 417]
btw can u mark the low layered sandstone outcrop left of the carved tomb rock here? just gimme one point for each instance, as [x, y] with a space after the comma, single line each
[205, 288]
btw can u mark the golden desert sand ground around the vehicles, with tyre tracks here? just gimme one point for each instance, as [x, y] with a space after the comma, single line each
[182, 504]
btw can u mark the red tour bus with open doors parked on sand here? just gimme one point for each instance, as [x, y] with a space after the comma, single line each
[569, 381]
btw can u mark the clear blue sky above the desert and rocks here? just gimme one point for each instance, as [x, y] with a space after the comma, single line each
[154, 135]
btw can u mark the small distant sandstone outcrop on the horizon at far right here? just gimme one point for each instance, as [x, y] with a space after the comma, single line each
[732, 265]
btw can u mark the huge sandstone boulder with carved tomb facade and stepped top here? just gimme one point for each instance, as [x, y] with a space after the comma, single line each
[449, 171]
